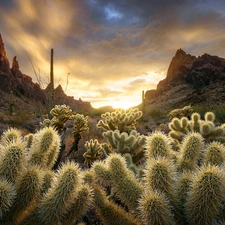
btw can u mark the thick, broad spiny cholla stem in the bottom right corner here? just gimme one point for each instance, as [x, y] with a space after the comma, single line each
[206, 197]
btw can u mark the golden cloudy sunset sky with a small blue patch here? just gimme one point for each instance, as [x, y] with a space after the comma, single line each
[107, 51]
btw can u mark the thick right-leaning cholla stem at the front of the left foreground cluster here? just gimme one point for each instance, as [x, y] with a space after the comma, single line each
[58, 199]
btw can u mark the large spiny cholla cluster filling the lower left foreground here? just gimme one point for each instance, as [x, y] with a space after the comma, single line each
[31, 193]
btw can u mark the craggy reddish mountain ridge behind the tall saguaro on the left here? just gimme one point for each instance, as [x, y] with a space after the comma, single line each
[27, 95]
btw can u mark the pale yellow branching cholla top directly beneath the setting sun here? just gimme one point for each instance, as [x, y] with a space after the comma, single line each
[121, 120]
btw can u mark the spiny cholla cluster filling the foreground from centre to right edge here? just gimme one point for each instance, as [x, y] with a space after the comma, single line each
[169, 191]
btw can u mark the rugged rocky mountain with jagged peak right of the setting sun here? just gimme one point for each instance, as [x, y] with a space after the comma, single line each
[190, 80]
